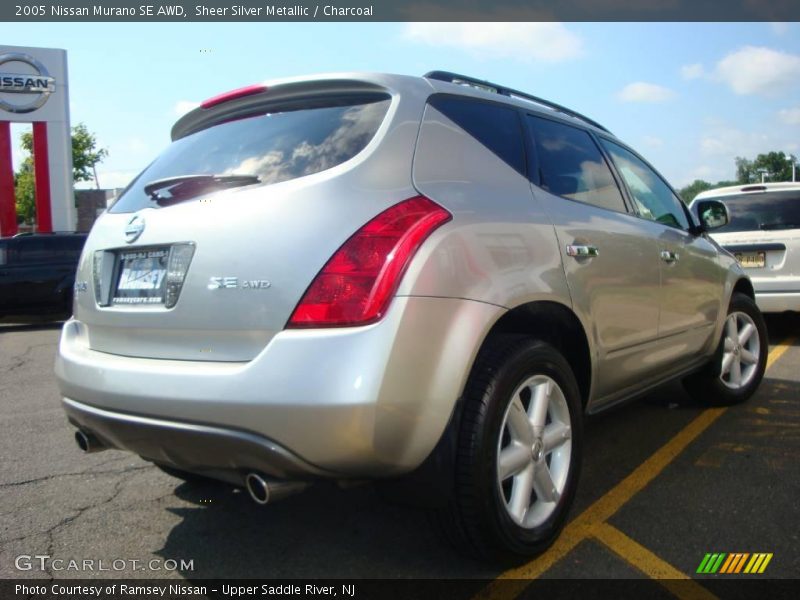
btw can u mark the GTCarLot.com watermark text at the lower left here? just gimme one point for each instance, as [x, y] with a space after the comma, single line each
[50, 564]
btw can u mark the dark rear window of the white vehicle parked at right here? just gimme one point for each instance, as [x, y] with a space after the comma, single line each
[767, 211]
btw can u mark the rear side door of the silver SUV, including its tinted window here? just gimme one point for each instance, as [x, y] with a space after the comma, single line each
[610, 256]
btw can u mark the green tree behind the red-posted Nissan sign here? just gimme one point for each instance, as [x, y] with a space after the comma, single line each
[85, 156]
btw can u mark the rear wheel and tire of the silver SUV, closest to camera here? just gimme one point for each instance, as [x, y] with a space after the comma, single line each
[518, 455]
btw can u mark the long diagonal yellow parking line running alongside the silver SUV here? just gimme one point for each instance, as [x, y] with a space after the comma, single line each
[584, 525]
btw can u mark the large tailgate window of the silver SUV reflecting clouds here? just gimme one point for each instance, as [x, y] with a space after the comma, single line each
[275, 146]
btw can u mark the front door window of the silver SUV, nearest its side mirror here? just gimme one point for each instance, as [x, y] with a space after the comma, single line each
[653, 198]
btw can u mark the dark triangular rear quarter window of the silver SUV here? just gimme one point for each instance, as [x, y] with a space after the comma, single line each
[495, 126]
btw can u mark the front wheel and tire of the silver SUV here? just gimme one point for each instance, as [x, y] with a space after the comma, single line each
[738, 365]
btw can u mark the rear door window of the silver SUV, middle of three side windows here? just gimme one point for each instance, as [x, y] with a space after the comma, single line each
[572, 166]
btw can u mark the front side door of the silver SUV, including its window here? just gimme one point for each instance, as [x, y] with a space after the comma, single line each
[691, 278]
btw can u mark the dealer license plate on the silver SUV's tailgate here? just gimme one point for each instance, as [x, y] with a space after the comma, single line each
[141, 276]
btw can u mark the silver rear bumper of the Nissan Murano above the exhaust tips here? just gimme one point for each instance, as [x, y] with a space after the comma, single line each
[351, 402]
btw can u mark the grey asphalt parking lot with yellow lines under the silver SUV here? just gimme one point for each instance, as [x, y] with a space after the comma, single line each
[664, 482]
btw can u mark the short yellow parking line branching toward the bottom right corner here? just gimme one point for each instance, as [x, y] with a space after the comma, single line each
[651, 565]
